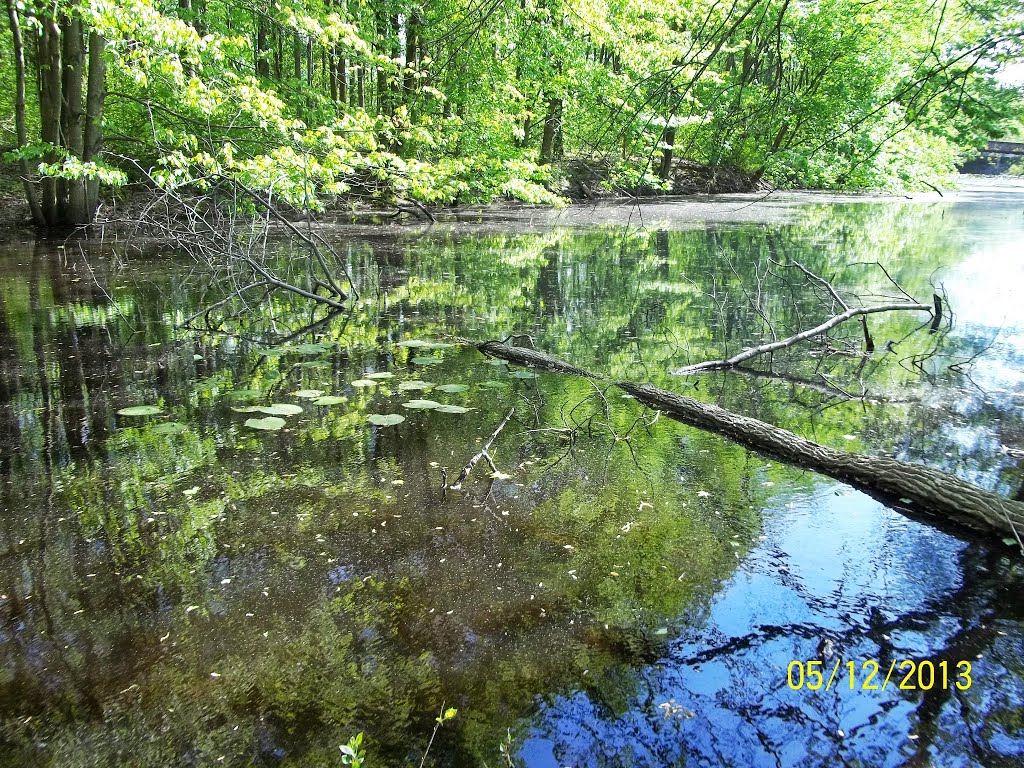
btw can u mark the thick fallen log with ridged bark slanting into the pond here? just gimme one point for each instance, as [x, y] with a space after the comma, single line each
[920, 489]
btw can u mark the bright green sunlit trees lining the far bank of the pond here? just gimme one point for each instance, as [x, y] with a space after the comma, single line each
[468, 101]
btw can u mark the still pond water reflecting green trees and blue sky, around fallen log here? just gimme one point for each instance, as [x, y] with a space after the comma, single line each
[206, 585]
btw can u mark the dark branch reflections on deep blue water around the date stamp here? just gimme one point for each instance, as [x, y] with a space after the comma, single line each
[751, 718]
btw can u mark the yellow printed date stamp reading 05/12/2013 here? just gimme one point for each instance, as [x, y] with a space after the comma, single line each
[908, 674]
